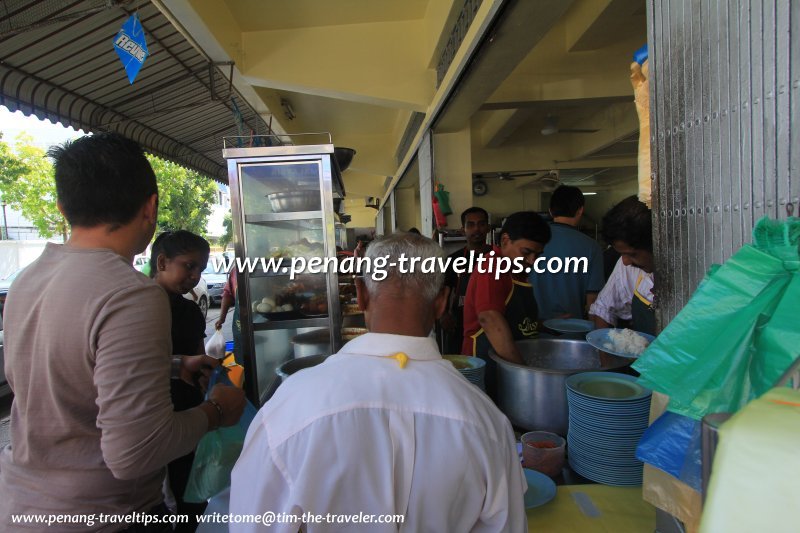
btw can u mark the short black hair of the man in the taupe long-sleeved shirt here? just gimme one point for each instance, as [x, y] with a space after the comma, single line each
[102, 179]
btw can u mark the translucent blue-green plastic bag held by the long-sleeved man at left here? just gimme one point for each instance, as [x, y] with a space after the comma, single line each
[217, 452]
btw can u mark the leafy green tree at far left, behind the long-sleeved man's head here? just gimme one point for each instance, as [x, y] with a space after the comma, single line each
[27, 185]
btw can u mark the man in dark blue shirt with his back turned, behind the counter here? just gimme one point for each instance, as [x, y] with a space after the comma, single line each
[567, 294]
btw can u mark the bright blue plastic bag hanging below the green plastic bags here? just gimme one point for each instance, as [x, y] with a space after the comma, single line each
[673, 444]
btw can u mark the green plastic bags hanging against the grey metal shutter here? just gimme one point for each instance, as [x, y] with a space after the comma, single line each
[739, 331]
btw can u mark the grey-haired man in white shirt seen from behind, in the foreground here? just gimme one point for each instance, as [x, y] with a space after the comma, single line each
[384, 427]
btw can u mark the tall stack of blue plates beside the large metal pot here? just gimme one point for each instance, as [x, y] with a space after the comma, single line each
[608, 413]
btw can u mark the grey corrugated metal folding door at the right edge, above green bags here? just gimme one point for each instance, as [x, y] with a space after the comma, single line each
[725, 122]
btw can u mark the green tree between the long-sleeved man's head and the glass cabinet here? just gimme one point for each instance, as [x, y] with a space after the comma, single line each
[184, 197]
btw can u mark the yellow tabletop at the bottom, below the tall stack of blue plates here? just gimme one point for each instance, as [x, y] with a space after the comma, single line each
[594, 508]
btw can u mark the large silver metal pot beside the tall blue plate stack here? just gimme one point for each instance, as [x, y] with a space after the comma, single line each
[534, 396]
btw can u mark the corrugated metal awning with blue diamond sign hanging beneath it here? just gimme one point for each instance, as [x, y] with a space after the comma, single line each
[57, 62]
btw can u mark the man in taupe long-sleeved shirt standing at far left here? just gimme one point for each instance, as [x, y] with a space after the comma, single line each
[87, 347]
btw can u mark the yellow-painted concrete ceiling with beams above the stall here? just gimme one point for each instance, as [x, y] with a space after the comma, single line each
[366, 69]
